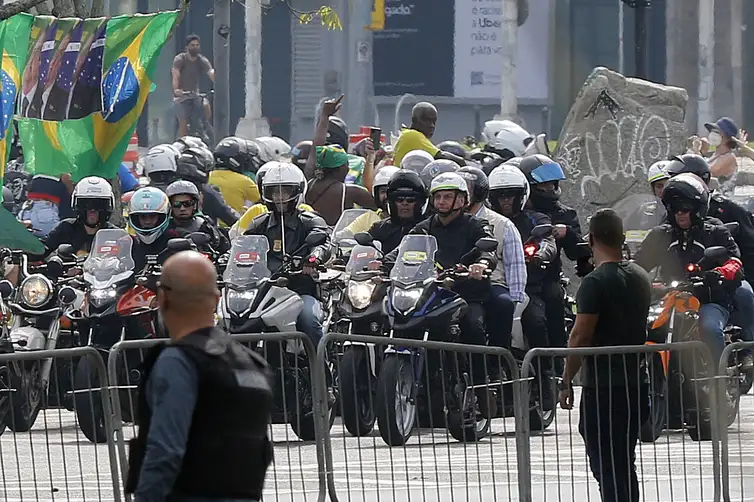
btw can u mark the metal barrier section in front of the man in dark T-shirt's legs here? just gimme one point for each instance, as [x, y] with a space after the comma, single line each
[670, 465]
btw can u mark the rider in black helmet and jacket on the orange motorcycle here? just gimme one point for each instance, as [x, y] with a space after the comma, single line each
[681, 241]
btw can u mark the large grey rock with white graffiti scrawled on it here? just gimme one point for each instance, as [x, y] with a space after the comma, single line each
[616, 129]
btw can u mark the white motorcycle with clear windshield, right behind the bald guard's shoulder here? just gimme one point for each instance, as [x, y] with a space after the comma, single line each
[254, 300]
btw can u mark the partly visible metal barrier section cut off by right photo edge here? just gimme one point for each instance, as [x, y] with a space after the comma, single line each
[736, 454]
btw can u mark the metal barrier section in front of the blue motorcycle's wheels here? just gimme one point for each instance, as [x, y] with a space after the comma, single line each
[432, 463]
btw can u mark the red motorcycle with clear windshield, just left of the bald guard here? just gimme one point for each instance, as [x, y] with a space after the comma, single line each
[118, 306]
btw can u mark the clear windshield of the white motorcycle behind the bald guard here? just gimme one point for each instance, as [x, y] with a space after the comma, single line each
[248, 261]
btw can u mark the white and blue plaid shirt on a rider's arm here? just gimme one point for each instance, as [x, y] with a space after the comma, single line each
[511, 271]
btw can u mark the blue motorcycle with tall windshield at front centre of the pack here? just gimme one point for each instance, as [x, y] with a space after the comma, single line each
[421, 305]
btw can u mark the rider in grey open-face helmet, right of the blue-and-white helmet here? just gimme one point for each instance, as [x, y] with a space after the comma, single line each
[186, 218]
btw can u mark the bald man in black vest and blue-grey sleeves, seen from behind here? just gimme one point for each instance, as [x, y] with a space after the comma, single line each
[204, 400]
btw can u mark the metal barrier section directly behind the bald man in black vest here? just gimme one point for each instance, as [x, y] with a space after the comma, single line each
[293, 475]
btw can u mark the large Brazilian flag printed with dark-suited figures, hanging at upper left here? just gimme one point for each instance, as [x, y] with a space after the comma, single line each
[94, 77]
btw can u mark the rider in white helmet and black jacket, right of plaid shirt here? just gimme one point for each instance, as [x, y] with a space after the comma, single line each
[509, 192]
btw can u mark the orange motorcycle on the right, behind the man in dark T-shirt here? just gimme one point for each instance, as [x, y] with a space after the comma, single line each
[683, 379]
